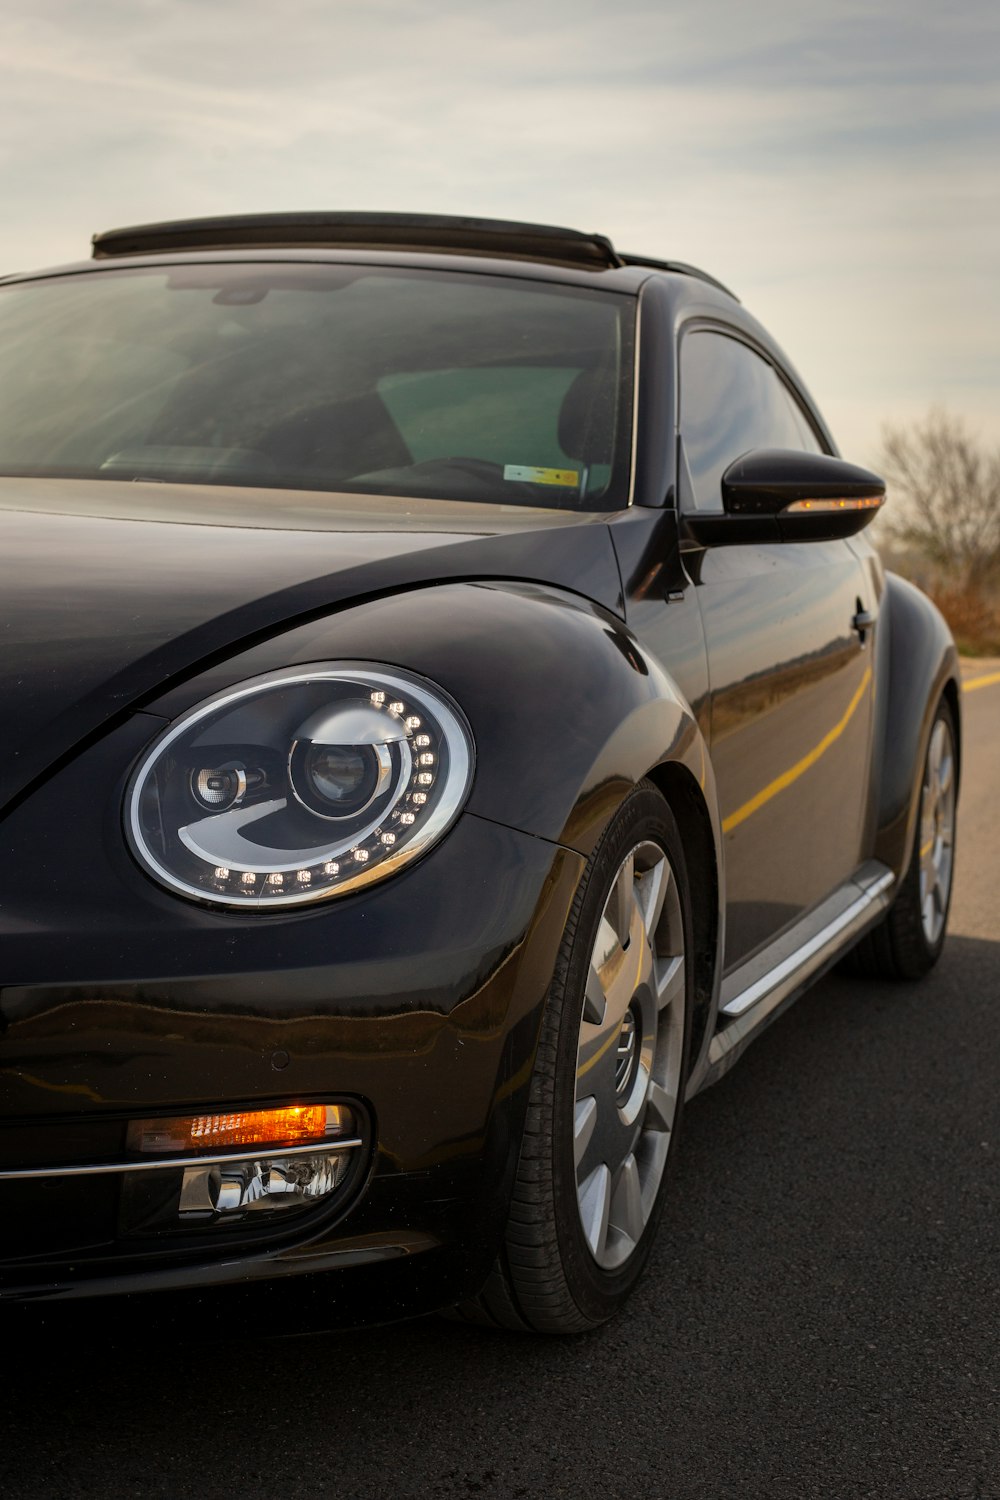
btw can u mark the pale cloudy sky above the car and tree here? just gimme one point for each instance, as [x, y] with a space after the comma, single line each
[837, 166]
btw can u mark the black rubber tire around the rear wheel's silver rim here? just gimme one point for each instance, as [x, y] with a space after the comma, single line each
[902, 947]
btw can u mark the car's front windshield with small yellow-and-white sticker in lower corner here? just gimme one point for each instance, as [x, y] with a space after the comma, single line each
[332, 377]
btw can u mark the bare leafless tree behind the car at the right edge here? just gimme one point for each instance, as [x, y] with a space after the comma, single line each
[950, 487]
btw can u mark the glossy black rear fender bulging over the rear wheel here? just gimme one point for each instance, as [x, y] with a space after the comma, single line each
[918, 662]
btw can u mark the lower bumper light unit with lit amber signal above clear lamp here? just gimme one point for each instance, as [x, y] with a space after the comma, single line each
[238, 1168]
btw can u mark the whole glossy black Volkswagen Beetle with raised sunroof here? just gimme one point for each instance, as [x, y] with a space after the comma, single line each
[449, 712]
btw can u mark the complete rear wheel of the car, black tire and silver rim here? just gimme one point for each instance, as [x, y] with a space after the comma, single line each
[908, 943]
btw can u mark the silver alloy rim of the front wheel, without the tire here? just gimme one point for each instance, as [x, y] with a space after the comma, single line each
[629, 1055]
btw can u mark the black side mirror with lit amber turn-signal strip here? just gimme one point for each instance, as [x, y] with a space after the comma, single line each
[780, 496]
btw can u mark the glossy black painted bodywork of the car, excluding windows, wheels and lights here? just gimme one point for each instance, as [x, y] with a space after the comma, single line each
[587, 652]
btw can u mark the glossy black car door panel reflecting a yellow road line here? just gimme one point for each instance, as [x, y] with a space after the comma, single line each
[788, 673]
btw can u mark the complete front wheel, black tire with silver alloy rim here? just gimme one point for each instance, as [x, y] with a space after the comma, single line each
[548, 1277]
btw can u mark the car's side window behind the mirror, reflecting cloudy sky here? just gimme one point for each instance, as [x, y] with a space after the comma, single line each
[732, 401]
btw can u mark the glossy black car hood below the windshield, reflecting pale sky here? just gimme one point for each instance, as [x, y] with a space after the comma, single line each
[110, 593]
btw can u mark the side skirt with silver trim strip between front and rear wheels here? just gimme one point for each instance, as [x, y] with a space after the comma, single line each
[758, 992]
